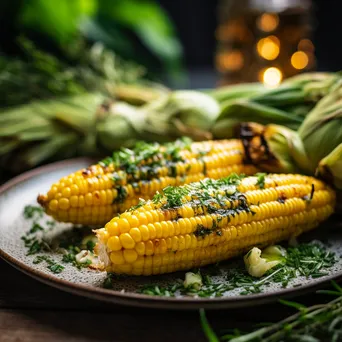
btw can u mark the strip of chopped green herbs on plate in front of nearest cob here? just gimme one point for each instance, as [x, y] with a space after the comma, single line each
[309, 260]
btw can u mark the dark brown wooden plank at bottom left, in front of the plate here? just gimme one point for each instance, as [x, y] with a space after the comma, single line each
[37, 326]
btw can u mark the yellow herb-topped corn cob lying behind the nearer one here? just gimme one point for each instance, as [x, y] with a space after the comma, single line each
[94, 195]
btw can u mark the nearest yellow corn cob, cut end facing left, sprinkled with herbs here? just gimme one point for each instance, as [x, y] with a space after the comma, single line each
[209, 221]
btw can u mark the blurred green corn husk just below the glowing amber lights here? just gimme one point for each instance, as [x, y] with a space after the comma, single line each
[286, 105]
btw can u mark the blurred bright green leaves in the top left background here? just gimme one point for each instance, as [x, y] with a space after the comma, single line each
[137, 30]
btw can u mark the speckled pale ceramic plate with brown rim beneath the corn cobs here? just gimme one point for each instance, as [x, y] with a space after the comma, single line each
[23, 190]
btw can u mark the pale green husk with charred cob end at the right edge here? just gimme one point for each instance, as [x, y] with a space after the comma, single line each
[316, 149]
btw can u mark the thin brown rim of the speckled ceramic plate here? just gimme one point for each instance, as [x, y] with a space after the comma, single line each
[137, 299]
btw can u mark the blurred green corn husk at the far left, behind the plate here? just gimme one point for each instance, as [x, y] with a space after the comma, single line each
[45, 130]
